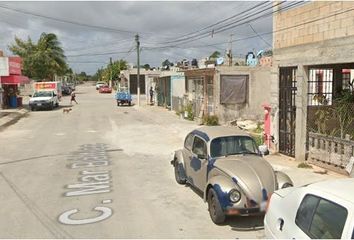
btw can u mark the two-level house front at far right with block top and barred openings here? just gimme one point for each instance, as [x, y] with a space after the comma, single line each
[313, 52]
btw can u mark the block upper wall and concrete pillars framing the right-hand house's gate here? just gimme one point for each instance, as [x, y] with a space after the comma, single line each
[325, 35]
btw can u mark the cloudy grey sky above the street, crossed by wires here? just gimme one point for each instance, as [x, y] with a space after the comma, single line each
[92, 32]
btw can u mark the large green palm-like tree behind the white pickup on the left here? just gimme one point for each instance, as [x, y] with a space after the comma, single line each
[41, 60]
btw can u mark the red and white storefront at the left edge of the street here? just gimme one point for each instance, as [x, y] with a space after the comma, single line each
[10, 80]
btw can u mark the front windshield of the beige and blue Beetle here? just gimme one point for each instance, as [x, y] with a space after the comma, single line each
[232, 145]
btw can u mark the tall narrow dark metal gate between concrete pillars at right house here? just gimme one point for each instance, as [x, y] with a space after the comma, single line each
[287, 110]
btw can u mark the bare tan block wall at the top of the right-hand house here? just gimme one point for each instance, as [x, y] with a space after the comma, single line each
[316, 21]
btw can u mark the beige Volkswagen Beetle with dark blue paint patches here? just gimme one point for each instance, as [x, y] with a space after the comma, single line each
[225, 165]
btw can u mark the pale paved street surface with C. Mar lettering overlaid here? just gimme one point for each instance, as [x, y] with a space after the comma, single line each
[101, 171]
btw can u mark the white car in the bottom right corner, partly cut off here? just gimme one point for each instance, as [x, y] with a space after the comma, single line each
[319, 210]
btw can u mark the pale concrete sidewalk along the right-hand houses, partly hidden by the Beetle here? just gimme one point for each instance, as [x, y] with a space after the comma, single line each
[288, 165]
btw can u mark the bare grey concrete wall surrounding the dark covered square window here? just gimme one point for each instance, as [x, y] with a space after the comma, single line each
[258, 93]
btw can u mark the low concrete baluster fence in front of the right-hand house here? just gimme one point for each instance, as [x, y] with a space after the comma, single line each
[329, 152]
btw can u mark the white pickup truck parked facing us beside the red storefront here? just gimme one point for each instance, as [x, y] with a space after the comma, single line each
[44, 99]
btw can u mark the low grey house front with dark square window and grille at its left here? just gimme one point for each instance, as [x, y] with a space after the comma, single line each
[230, 93]
